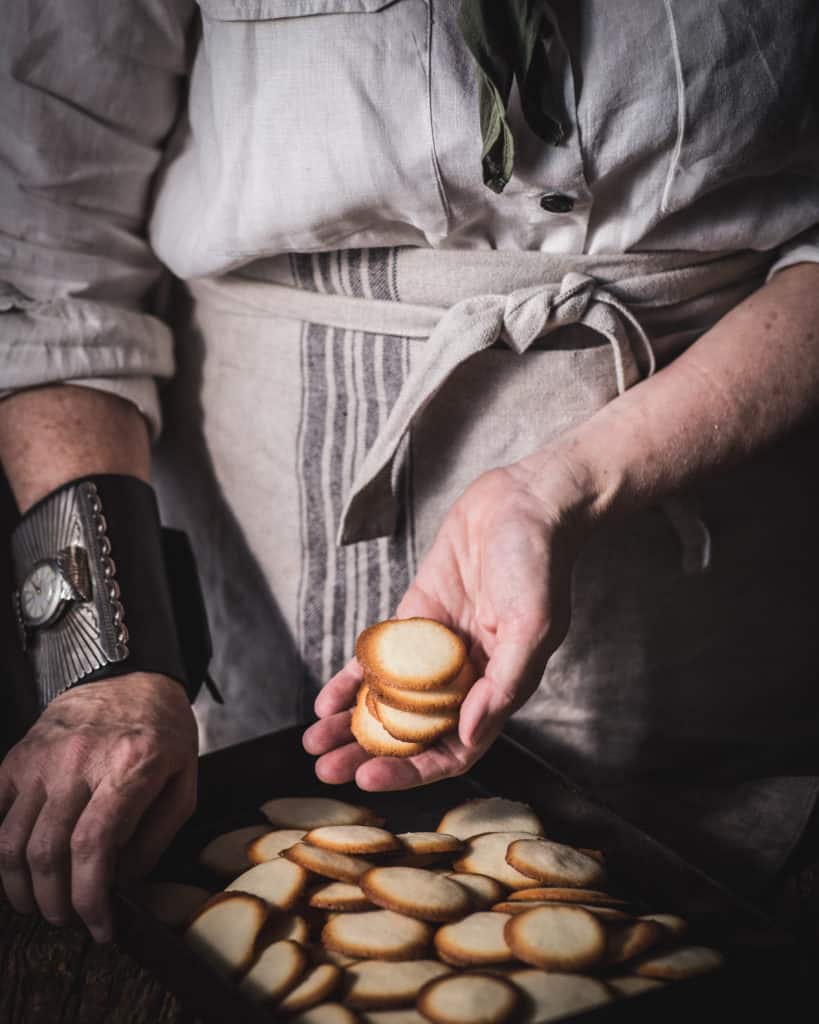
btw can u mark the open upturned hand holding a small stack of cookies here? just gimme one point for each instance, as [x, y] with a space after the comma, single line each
[499, 573]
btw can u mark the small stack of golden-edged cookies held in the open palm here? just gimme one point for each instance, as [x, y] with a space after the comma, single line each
[417, 673]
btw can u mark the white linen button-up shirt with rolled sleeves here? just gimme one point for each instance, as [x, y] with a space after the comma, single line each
[205, 138]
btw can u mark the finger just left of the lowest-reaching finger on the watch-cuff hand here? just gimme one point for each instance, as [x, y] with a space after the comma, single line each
[49, 852]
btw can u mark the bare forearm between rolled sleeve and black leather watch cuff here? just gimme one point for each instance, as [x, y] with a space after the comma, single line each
[51, 436]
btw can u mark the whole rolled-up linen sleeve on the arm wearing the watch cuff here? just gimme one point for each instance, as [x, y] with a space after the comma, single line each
[92, 92]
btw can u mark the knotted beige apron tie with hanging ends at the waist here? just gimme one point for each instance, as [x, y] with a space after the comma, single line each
[472, 326]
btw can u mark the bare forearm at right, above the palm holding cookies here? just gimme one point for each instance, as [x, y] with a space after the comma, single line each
[742, 387]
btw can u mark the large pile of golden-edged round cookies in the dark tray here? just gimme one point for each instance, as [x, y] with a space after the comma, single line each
[482, 922]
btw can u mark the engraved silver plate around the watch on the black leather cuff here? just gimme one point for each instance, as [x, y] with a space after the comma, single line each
[90, 633]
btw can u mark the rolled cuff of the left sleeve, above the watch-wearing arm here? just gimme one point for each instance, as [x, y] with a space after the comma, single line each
[91, 345]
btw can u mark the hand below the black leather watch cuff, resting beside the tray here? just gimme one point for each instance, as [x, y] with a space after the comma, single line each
[96, 791]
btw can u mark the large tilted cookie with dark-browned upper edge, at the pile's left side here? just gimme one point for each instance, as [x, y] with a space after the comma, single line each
[226, 930]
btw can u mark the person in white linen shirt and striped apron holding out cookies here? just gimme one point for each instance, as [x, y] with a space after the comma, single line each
[571, 414]
